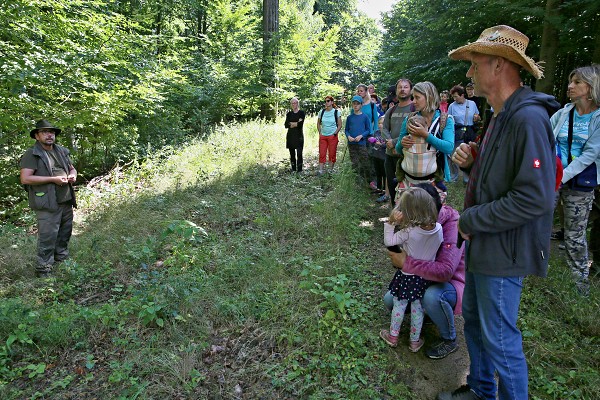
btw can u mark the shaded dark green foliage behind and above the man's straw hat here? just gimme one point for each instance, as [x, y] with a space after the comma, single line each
[419, 35]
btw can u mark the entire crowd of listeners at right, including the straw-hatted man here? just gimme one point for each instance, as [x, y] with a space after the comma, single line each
[475, 262]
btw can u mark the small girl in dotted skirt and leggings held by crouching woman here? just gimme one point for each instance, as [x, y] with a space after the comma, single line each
[420, 236]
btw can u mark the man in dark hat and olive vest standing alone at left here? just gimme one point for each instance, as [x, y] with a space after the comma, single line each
[48, 174]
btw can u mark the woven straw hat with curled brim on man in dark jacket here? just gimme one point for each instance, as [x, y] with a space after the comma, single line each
[503, 41]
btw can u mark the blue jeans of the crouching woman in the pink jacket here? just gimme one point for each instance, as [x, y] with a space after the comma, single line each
[439, 302]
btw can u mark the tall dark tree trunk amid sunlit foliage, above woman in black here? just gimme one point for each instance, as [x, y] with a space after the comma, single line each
[270, 29]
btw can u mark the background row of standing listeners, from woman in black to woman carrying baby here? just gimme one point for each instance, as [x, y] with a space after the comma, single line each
[386, 151]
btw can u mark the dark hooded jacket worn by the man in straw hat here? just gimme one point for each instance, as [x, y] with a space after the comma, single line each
[511, 221]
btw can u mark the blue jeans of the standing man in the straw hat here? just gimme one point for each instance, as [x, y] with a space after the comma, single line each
[490, 310]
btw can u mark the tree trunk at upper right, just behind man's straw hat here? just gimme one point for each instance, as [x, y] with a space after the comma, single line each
[549, 49]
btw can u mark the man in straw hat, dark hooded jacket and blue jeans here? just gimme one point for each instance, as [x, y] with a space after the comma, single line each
[507, 218]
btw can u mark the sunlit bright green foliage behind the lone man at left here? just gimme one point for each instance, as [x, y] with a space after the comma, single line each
[124, 79]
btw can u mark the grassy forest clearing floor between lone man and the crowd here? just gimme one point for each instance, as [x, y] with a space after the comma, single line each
[210, 272]
